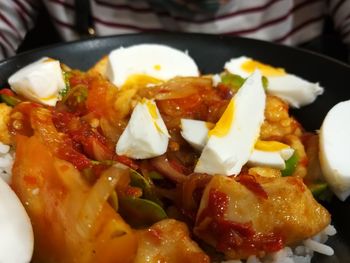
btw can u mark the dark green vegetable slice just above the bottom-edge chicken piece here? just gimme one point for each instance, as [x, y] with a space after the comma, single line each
[140, 212]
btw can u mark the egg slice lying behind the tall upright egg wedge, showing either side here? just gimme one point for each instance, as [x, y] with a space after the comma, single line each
[266, 153]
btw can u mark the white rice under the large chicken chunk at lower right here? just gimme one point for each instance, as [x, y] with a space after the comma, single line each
[299, 254]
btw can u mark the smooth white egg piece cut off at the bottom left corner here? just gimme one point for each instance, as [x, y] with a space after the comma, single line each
[16, 238]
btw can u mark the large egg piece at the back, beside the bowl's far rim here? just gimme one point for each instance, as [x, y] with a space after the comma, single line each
[158, 61]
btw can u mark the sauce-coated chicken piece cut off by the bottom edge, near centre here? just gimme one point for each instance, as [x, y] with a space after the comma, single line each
[168, 241]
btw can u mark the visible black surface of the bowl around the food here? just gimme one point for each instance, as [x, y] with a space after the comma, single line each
[211, 52]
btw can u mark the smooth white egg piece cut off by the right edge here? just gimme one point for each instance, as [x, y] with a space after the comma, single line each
[335, 149]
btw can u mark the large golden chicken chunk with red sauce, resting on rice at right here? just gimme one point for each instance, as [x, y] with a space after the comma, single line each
[253, 215]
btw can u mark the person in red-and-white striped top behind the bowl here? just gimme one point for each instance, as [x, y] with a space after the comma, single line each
[290, 22]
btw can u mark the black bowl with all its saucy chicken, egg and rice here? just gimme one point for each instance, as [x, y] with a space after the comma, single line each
[174, 148]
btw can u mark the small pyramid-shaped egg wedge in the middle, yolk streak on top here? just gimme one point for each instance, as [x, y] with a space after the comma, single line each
[146, 135]
